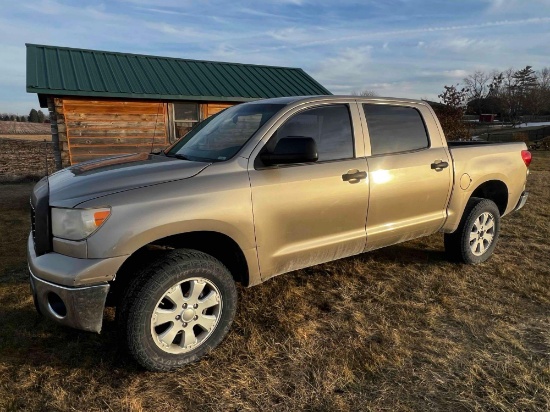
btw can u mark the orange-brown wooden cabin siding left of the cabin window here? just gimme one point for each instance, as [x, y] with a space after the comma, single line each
[99, 128]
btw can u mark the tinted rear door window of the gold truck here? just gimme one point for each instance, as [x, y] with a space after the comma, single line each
[394, 129]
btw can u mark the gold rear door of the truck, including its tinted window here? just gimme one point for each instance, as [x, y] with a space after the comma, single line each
[408, 193]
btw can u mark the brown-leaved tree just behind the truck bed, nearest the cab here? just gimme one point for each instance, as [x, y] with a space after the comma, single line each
[451, 113]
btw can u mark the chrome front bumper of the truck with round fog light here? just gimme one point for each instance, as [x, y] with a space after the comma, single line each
[79, 308]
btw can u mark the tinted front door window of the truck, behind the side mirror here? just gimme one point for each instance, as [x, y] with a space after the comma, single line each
[330, 126]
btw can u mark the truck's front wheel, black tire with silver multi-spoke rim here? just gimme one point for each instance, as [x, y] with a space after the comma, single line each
[177, 310]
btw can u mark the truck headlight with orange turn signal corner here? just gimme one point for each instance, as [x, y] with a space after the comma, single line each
[77, 224]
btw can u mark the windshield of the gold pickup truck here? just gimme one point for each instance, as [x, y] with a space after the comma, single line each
[221, 136]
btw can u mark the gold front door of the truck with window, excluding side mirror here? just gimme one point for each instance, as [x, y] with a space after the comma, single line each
[309, 213]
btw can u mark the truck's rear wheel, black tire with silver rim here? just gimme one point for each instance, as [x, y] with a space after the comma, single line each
[477, 234]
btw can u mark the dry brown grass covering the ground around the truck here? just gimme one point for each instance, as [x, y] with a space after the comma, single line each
[395, 329]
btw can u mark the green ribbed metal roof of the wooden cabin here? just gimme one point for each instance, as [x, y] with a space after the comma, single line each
[77, 72]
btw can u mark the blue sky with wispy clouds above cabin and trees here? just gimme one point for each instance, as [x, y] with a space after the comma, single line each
[398, 48]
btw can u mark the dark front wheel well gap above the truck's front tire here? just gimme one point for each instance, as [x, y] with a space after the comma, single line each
[220, 246]
